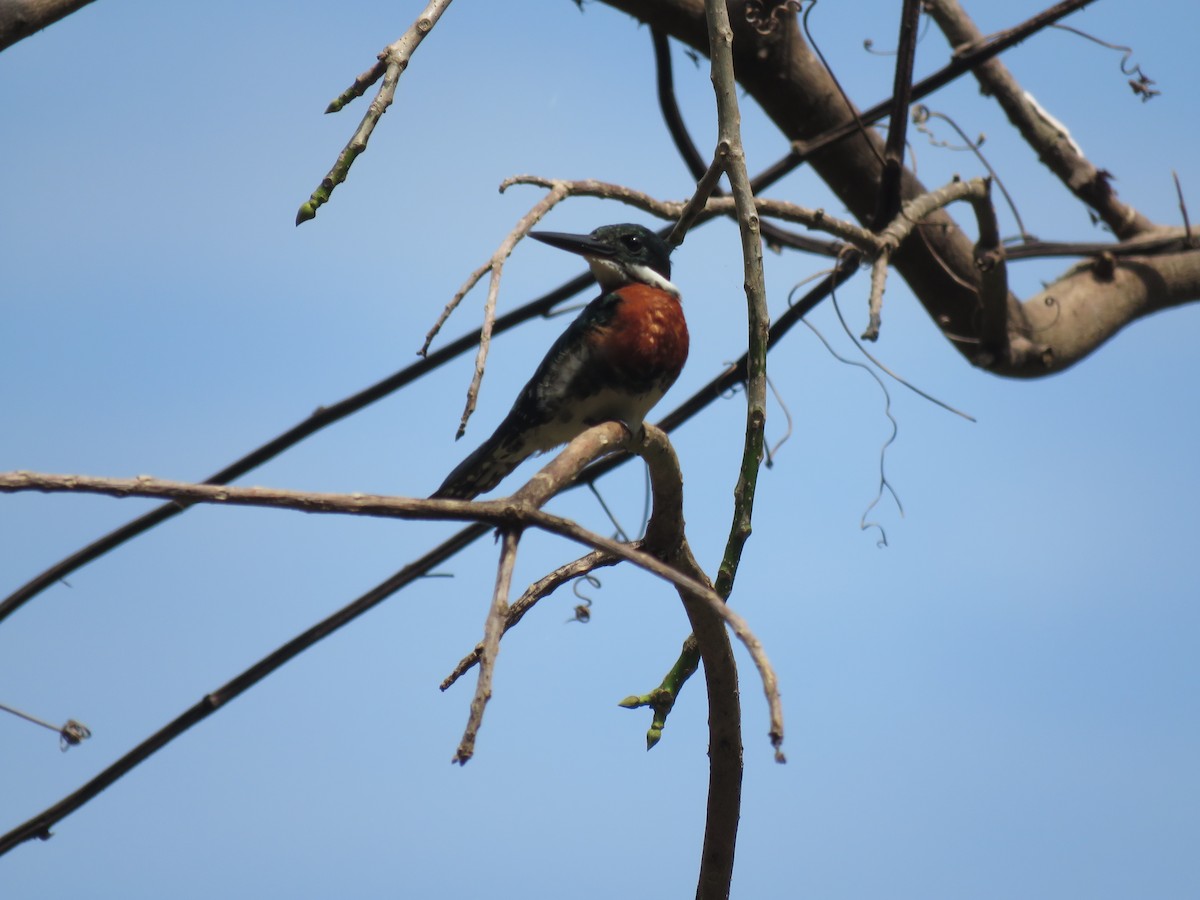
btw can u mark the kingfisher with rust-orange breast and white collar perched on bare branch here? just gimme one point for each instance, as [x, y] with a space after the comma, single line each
[613, 364]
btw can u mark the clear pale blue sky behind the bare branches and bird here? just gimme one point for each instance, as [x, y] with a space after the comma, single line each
[1000, 704]
